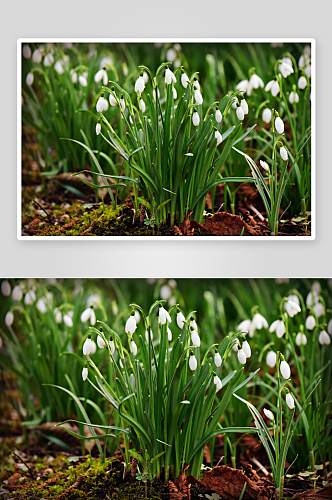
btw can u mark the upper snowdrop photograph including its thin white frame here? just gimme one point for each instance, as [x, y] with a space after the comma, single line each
[166, 138]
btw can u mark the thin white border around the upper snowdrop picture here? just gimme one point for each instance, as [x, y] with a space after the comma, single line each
[312, 41]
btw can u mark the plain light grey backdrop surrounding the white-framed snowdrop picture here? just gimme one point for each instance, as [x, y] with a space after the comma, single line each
[179, 258]
